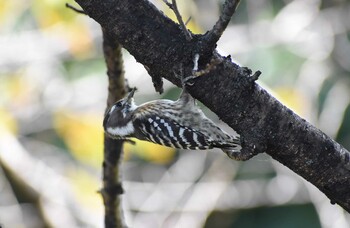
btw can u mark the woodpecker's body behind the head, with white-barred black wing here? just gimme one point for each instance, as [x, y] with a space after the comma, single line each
[172, 124]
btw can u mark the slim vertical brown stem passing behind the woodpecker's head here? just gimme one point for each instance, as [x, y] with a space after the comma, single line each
[113, 149]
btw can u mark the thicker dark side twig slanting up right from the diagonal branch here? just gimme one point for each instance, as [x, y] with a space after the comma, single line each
[216, 32]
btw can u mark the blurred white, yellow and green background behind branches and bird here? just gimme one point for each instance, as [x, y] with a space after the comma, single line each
[53, 90]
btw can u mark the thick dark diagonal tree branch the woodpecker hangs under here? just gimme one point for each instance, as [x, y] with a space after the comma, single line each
[265, 125]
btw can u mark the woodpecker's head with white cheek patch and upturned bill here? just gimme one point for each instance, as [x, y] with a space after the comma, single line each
[118, 119]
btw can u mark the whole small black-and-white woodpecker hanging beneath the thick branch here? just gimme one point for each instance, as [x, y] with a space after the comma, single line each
[177, 124]
